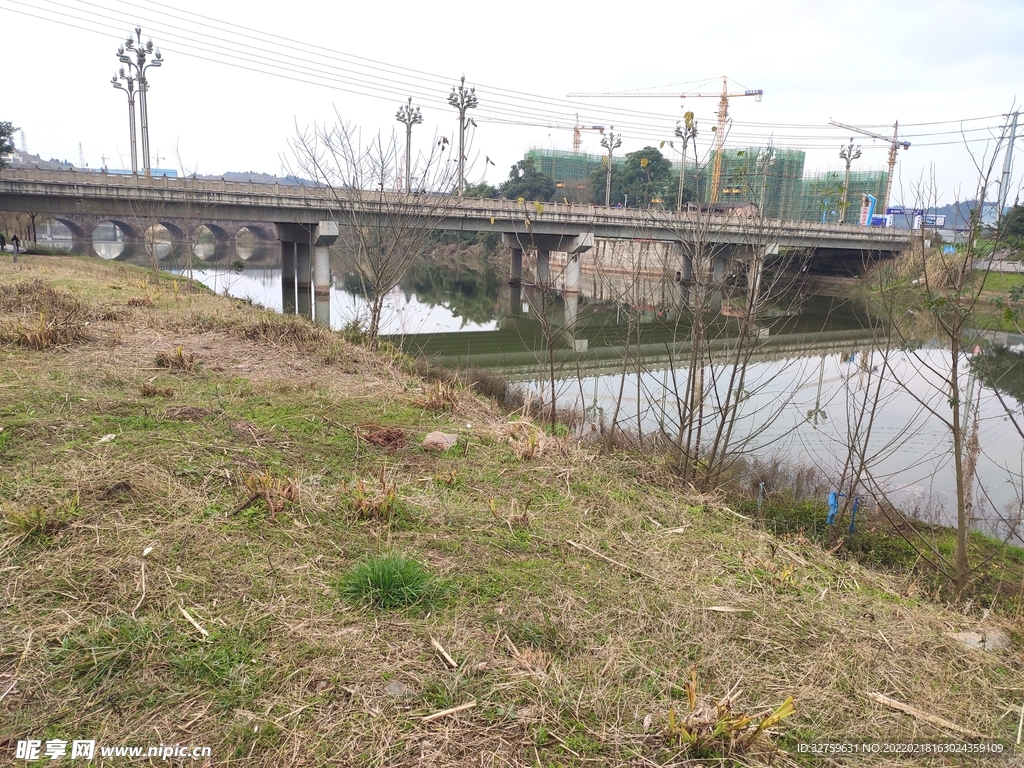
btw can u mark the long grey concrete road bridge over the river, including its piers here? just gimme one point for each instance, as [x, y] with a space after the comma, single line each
[306, 222]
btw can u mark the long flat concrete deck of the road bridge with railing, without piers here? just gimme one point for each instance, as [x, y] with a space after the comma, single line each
[100, 194]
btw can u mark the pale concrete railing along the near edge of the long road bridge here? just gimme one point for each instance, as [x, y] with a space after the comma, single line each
[571, 215]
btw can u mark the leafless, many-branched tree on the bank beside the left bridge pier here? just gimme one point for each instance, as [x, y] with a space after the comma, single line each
[382, 231]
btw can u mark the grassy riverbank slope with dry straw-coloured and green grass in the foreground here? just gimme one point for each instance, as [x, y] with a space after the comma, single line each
[567, 655]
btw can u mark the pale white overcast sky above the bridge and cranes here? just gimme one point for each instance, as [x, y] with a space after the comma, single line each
[948, 71]
